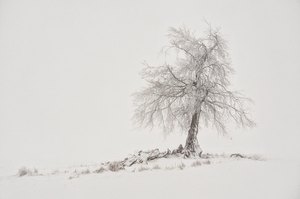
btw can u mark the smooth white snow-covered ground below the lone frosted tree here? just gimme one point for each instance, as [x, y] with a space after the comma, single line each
[165, 178]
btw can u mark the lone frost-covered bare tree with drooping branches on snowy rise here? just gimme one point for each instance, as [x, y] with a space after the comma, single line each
[194, 89]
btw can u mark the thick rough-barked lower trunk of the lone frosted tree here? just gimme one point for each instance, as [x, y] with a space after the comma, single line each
[192, 147]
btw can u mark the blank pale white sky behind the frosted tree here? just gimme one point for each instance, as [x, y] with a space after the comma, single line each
[68, 68]
